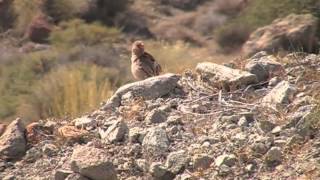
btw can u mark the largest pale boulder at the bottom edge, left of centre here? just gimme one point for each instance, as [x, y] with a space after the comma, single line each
[92, 163]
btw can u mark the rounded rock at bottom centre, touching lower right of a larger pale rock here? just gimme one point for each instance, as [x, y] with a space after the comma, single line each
[177, 161]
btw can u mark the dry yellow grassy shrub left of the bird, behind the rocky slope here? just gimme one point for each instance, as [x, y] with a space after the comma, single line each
[70, 91]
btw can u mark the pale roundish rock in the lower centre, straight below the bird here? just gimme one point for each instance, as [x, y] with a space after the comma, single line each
[156, 141]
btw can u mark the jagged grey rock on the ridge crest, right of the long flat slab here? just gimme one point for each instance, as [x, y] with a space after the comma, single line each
[264, 67]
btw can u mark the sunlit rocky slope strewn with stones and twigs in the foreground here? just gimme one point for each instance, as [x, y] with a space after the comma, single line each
[255, 119]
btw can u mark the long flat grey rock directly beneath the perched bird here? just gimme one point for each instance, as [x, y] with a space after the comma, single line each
[150, 88]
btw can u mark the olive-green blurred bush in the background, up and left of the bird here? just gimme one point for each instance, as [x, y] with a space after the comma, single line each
[77, 32]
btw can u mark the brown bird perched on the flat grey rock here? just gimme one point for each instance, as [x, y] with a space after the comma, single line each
[143, 65]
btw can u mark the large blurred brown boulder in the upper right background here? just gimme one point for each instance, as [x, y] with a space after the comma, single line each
[292, 32]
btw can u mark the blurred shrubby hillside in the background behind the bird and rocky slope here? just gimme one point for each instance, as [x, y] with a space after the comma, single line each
[61, 58]
